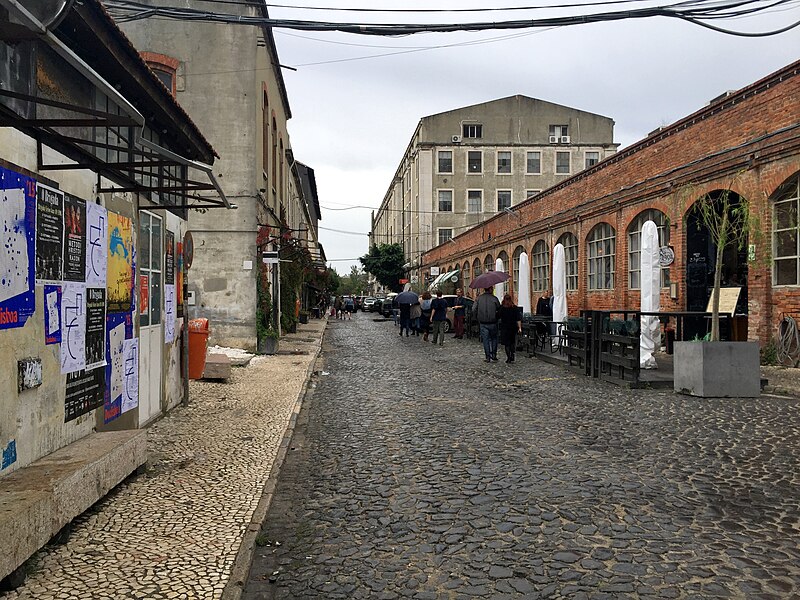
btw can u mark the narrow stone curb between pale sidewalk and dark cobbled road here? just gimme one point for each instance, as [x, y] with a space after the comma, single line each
[244, 557]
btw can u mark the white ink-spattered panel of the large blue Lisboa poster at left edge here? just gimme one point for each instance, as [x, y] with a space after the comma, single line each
[14, 257]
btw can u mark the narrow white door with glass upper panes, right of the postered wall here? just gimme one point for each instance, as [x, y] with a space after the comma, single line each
[151, 334]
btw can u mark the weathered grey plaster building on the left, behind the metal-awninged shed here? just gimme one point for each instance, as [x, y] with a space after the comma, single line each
[228, 78]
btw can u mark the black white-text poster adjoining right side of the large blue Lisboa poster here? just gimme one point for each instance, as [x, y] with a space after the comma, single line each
[49, 234]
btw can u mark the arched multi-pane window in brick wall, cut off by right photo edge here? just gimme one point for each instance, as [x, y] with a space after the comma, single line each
[786, 234]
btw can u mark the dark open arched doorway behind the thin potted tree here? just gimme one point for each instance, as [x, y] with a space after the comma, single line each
[701, 259]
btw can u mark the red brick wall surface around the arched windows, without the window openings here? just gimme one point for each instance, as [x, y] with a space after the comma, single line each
[748, 142]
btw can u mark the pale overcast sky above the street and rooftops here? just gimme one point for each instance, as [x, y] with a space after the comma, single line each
[352, 119]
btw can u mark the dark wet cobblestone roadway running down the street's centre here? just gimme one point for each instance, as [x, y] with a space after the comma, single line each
[423, 472]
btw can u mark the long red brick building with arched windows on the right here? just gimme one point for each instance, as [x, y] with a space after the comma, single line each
[747, 142]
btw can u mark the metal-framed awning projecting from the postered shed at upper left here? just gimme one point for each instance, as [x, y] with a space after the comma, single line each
[132, 164]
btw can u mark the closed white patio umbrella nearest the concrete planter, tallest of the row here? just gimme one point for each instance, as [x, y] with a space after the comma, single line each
[650, 336]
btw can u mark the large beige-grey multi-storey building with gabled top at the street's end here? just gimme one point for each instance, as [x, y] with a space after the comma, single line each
[463, 166]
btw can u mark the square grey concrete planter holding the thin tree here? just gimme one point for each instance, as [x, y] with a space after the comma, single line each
[717, 369]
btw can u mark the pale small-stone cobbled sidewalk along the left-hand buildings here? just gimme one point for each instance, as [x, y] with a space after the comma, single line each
[174, 532]
